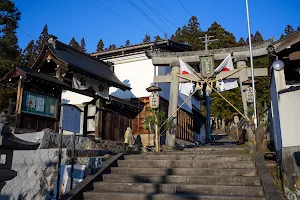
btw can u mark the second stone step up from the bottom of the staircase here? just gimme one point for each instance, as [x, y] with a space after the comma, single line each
[254, 191]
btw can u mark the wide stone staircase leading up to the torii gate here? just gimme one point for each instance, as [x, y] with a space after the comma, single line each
[207, 173]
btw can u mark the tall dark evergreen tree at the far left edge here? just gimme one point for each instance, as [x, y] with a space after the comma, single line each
[9, 49]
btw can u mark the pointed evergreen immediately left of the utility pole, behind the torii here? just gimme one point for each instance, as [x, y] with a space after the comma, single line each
[190, 34]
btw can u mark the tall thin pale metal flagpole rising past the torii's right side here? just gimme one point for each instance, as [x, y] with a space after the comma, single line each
[251, 64]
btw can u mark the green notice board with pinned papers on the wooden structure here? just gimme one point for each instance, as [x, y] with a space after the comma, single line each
[39, 104]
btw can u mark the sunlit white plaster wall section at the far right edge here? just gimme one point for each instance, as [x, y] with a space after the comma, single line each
[289, 109]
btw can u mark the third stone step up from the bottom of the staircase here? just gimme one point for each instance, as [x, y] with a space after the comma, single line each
[202, 180]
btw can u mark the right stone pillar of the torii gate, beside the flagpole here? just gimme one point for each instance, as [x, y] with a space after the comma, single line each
[243, 76]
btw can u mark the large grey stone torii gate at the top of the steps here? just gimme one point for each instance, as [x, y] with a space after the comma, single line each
[240, 55]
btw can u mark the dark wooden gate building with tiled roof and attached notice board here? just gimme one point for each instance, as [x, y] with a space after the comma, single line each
[39, 88]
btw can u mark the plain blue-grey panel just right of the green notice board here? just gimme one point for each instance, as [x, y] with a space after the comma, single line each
[71, 118]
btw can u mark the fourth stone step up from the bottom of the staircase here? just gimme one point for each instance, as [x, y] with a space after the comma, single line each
[184, 171]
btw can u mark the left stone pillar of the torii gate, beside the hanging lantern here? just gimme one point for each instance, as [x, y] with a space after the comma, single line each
[173, 102]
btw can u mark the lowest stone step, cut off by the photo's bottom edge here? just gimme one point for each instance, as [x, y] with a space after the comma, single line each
[142, 196]
